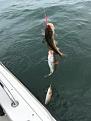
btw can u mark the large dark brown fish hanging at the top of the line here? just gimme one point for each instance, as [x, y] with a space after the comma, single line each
[50, 38]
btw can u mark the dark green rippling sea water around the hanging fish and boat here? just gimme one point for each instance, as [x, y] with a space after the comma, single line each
[23, 53]
